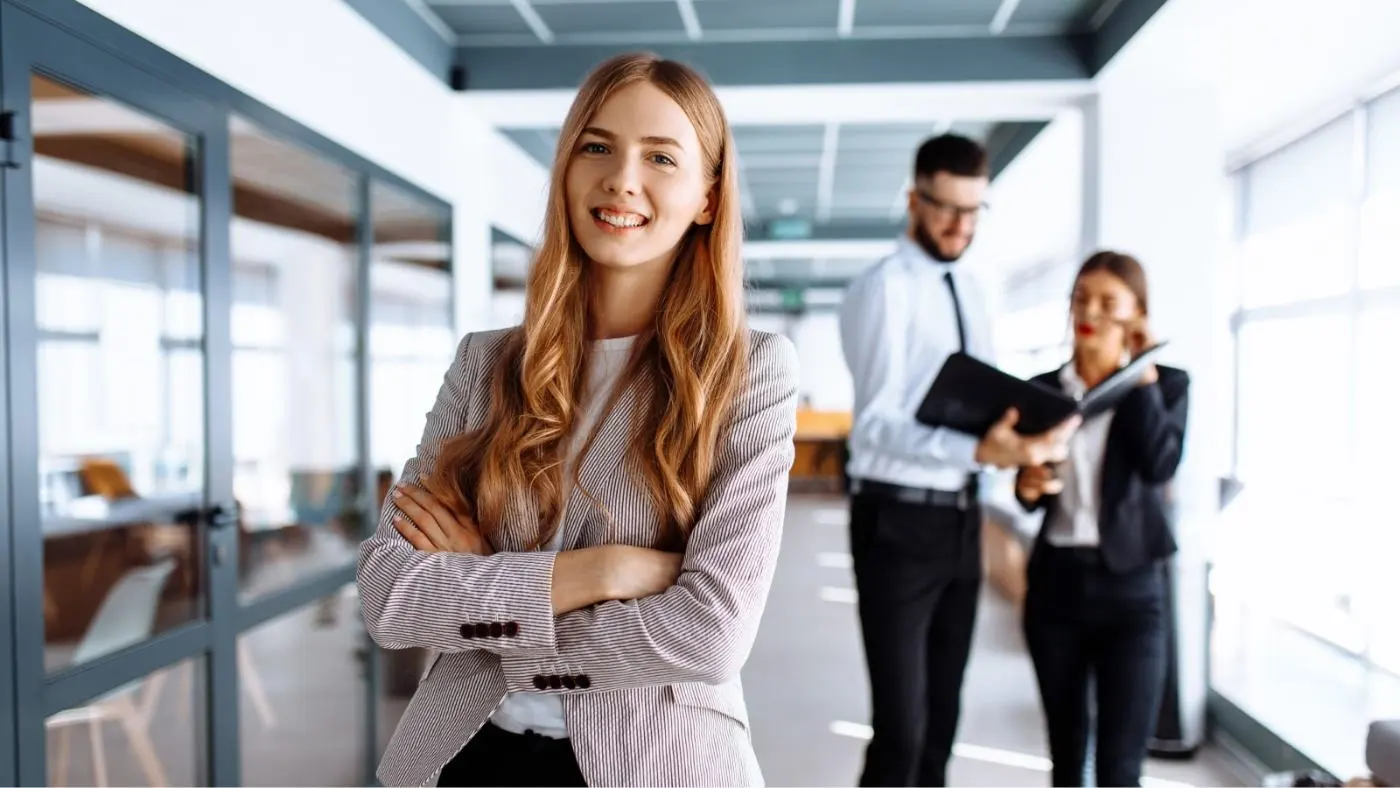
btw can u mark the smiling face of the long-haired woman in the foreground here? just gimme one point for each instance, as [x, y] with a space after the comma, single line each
[636, 181]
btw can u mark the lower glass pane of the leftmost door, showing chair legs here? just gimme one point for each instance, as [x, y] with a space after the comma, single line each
[149, 733]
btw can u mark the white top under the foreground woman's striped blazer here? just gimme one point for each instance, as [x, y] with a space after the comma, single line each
[537, 712]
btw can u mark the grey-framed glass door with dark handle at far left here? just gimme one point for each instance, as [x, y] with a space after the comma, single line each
[124, 531]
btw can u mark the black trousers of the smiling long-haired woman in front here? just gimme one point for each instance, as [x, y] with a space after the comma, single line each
[500, 758]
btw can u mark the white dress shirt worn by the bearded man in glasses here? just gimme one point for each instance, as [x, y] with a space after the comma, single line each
[898, 328]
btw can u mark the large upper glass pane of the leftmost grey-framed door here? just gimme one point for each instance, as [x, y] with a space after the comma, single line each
[118, 306]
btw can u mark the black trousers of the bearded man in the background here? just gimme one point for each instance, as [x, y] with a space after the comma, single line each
[918, 582]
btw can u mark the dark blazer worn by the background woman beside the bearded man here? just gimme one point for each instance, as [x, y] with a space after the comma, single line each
[1144, 450]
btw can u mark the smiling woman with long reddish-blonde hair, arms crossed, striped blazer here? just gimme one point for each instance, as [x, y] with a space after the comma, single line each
[601, 491]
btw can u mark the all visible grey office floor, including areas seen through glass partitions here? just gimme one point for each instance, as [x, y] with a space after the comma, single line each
[806, 688]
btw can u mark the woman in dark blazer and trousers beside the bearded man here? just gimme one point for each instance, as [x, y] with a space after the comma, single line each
[1095, 603]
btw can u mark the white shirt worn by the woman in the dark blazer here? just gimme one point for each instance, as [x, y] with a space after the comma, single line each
[1074, 523]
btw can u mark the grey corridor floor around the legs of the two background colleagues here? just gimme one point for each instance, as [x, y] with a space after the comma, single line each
[807, 692]
